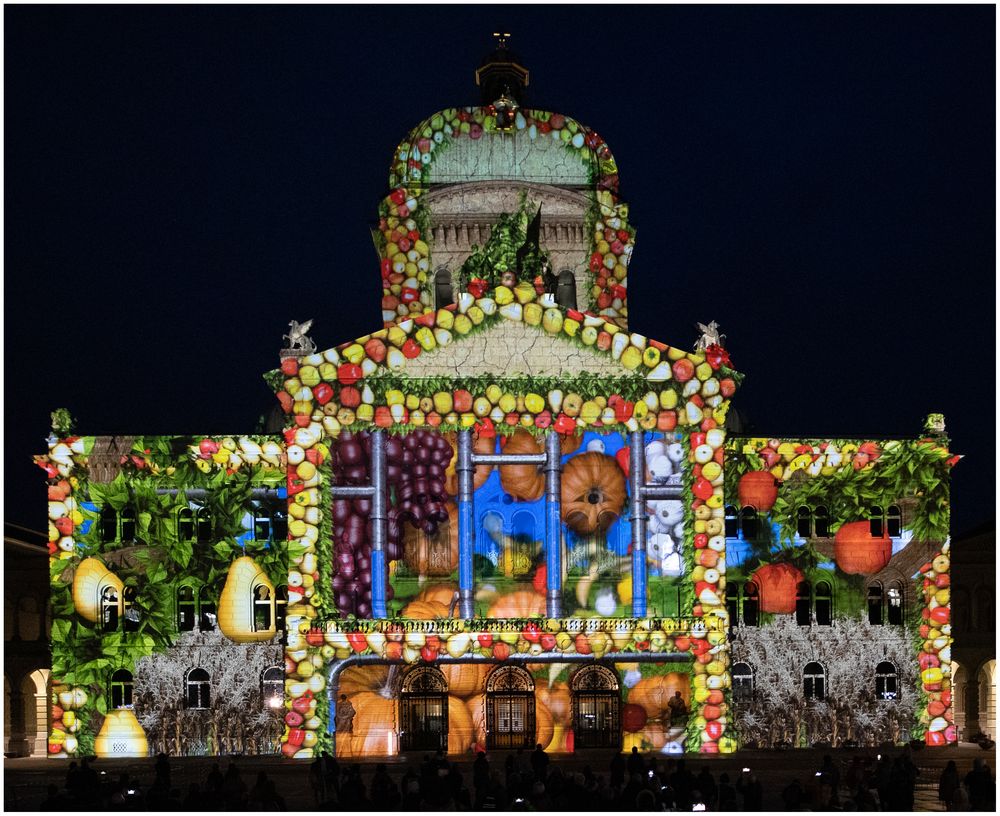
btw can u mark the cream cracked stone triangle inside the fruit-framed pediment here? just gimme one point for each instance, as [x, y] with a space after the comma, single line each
[511, 348]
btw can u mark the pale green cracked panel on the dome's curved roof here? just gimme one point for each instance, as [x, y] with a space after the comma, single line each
[510, 155]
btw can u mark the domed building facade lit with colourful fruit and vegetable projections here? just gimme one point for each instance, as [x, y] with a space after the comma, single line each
[503, 518]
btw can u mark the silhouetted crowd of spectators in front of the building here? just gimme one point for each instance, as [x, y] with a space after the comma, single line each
[531, 780]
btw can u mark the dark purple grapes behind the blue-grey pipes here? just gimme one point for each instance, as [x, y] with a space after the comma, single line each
[415, 470]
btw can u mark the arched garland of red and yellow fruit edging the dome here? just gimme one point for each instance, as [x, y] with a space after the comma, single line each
[402, 226]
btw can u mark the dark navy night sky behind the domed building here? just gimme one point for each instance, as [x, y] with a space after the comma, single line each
[181, 182]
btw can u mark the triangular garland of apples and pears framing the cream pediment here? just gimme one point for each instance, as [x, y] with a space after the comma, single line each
[354, 386]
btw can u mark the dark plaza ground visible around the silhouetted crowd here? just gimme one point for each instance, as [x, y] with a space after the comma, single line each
[25, 780]
